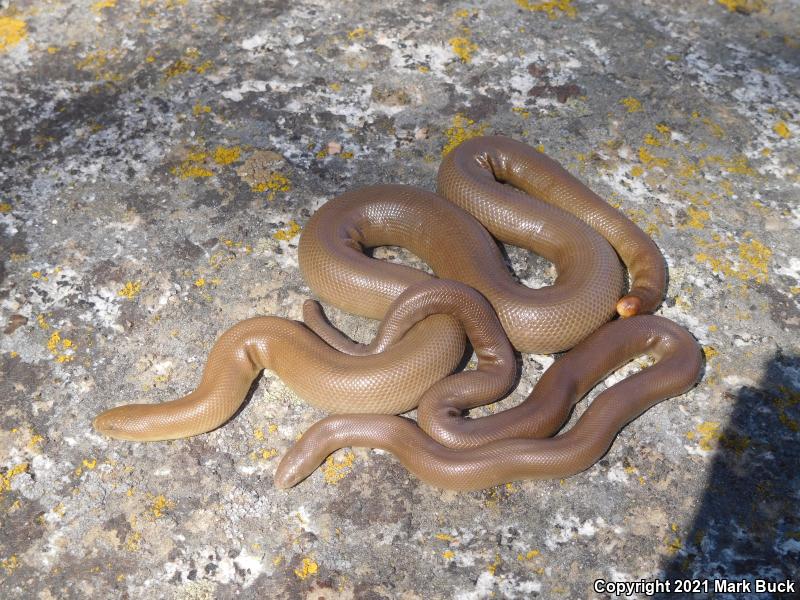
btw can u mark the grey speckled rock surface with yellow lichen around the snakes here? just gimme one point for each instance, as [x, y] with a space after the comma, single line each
[158, 160]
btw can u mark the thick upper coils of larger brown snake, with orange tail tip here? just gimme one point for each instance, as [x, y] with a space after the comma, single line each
[551, 216]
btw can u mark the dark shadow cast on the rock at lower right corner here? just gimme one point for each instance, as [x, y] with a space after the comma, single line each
[748, 521]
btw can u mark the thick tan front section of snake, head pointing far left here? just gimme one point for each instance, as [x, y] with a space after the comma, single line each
[417, 355]
